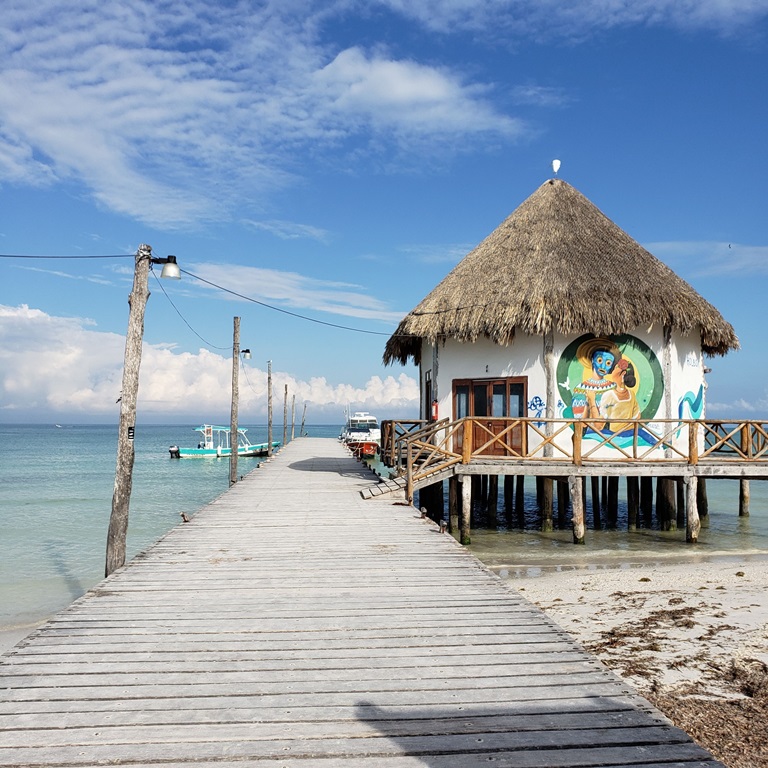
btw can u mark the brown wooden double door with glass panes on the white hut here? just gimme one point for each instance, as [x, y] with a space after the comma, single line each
[487, 399]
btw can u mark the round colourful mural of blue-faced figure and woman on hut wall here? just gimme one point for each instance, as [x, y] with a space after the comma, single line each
[610, 380]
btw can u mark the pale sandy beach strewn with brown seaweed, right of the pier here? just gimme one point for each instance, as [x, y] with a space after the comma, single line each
[691, 637]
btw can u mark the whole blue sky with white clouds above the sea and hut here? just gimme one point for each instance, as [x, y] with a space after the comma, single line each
[328, 163]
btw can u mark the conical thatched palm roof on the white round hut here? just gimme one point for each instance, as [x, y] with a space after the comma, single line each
[557, 264]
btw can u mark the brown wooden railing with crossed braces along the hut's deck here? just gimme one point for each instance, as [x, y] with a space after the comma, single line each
[426, 448]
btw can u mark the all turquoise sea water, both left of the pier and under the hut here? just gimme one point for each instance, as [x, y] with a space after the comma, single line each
[56, 492]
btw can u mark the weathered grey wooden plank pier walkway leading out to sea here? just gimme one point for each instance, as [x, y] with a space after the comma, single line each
[294, 624]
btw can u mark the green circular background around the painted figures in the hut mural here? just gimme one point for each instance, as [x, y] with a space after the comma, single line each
[573, 368]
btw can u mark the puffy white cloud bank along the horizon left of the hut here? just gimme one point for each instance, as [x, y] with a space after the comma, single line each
[62, 368]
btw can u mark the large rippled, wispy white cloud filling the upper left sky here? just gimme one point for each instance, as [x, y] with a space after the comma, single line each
[173, 113]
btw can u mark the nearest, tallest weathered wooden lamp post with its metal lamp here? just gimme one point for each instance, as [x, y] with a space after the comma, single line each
[137, 302]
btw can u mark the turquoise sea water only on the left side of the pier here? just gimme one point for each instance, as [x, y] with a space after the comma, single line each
[56, 489]
